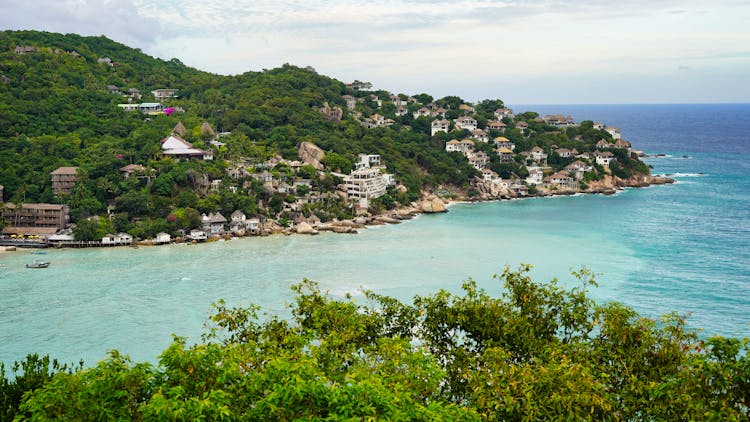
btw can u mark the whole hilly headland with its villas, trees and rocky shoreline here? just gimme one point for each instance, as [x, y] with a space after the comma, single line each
[103, 145]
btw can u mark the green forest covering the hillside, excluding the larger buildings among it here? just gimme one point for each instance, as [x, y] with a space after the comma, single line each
[60, 98]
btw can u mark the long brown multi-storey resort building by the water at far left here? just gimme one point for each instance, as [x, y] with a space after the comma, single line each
[40, 219]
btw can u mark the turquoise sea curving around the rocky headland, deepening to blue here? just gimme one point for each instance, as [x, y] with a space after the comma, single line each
[683, 247]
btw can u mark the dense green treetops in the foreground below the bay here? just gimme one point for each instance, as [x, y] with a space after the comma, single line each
[522, 351]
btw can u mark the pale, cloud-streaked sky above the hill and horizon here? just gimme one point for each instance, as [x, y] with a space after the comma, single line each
[520, 51]
